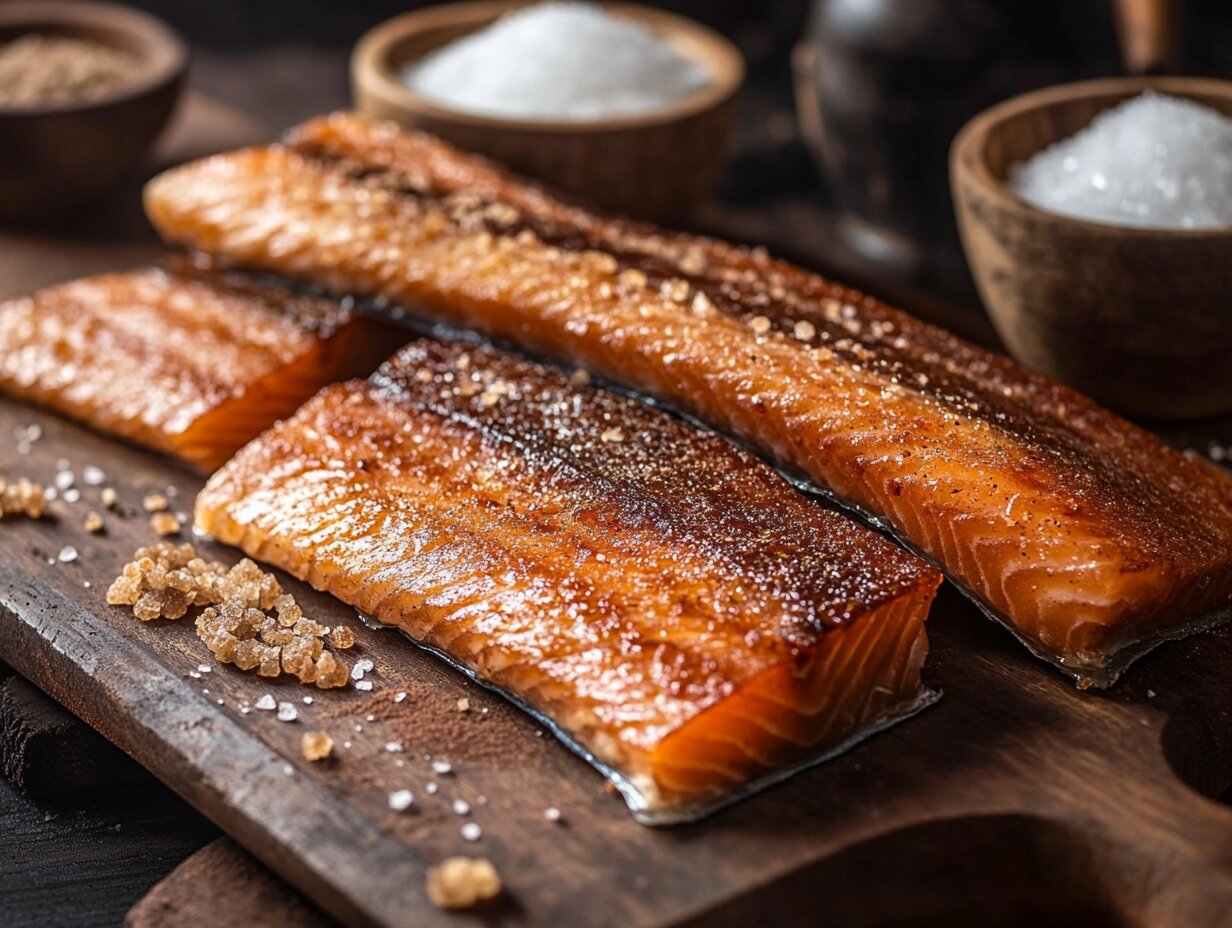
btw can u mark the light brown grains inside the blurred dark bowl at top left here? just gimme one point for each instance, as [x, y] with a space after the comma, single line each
[59, 71]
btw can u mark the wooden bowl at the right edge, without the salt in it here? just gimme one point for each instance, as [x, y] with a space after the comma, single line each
[1141, 320]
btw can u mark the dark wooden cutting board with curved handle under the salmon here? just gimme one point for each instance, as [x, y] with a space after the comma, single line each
[1016, 802]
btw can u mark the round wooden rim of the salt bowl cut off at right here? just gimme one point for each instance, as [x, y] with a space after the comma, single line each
[968, 150]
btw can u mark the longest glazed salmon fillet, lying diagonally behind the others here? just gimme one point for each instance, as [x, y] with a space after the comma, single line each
[1084, 534]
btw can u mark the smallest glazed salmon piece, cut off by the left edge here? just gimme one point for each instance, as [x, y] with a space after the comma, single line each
[180, 359]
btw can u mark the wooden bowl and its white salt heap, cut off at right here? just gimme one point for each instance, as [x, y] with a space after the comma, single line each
[1097, 220]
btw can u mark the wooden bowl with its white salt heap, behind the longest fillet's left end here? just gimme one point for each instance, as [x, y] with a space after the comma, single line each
[624, 107]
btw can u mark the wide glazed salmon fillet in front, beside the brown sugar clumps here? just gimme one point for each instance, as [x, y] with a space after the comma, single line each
[667, 602]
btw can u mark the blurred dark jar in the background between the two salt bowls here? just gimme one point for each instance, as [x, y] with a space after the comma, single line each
[884, 86]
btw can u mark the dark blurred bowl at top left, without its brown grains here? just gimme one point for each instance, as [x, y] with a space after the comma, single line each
[60, 157]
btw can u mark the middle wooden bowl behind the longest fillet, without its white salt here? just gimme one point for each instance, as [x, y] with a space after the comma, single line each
[655, 166]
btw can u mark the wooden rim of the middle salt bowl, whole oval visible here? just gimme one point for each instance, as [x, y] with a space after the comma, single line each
[371, 72]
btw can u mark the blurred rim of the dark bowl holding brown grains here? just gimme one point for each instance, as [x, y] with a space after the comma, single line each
[164, 56]
